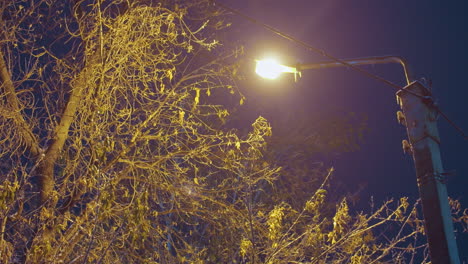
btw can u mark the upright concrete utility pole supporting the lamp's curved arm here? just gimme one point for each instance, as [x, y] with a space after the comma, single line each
[420, 118]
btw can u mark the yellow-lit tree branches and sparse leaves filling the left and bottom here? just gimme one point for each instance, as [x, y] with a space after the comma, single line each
[111, 151]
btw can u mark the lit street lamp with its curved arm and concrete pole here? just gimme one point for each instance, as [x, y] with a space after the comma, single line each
[420, 118]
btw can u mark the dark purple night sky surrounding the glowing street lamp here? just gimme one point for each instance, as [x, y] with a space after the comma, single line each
[431, 35]
